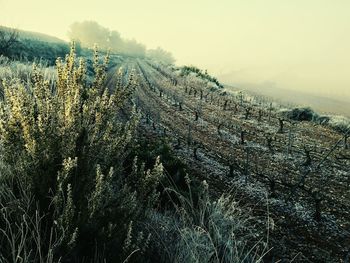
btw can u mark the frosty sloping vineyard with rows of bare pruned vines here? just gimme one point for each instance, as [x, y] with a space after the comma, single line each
[298, 171]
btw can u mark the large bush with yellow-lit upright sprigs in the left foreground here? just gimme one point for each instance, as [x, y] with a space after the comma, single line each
[66, 145]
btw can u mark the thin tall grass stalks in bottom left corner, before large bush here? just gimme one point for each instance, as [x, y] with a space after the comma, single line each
[23, 229]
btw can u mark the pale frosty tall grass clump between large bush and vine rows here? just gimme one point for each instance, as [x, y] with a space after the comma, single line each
[209, 231]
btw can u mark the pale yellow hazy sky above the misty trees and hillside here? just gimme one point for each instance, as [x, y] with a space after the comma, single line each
[296, 44]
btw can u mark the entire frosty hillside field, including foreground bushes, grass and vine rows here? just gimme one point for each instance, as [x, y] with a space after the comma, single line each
[130, 141]
